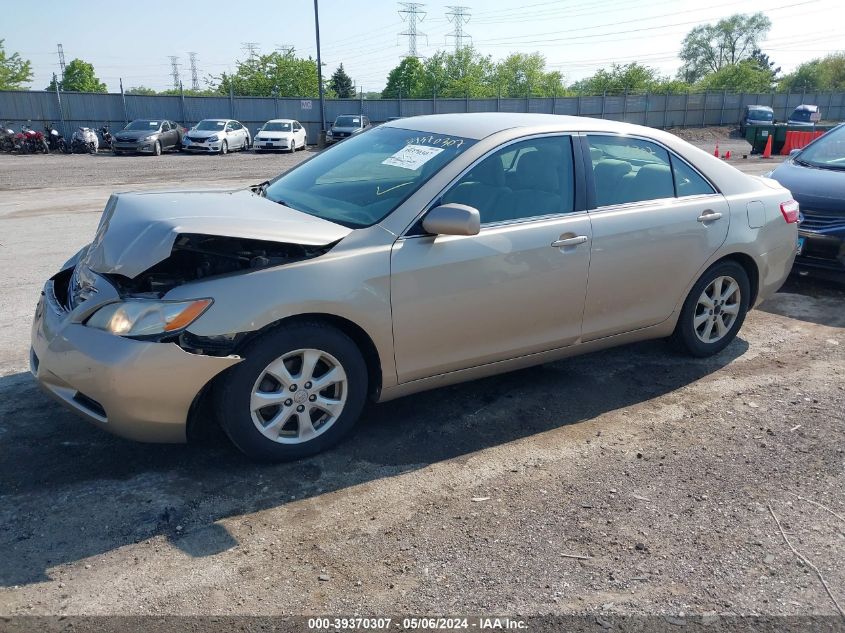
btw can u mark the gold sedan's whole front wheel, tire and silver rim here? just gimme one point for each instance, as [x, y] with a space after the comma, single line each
[299, 390]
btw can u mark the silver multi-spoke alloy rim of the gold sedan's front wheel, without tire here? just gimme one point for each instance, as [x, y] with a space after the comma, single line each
[299, 396]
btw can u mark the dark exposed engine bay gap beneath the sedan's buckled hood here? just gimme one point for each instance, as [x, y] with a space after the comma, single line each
[196, 256]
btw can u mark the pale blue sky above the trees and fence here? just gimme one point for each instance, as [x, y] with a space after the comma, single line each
[133, 40]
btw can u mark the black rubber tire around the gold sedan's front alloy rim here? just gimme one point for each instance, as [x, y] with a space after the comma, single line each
[232, 397]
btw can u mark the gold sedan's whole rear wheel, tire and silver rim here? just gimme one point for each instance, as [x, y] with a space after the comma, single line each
[713, 311]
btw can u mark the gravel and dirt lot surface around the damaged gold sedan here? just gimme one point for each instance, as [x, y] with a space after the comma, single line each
[629, 481]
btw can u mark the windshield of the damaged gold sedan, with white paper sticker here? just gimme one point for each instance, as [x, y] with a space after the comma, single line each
[362, 180]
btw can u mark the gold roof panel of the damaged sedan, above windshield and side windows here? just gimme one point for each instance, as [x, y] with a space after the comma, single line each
[479, 125]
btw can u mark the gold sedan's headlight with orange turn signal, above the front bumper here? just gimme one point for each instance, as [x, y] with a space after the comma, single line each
[142, 317]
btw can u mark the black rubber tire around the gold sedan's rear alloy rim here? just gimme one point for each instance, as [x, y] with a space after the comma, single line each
[685, 338]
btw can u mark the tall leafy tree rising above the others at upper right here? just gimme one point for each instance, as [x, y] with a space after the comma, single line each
[709, 47]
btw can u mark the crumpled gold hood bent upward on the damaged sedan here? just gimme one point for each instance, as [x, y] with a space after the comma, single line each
[138, 230]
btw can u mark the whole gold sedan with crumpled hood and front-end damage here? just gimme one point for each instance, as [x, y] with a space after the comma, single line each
[404, 259]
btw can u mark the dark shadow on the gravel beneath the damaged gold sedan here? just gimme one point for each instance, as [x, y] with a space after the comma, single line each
[69, 491]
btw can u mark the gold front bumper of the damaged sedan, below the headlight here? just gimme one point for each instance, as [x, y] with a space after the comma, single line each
[140, 390]
